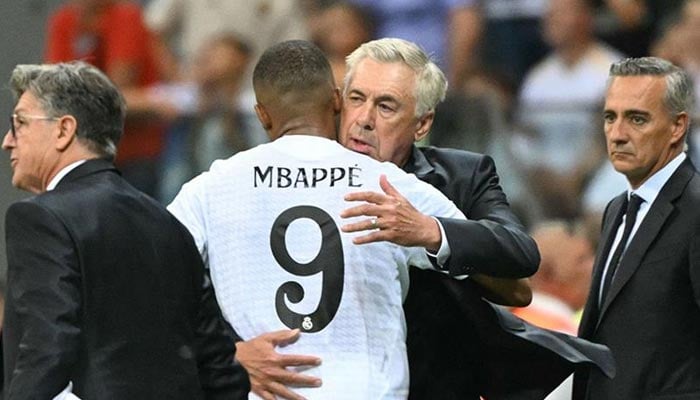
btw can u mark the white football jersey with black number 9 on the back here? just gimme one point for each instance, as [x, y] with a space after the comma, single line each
[267, 224]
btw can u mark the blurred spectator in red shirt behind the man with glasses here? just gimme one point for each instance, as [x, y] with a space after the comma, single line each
[112, 36]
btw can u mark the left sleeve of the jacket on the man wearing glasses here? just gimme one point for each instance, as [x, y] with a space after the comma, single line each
[43, 302]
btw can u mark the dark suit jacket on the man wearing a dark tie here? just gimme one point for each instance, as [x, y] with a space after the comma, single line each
[651, 317]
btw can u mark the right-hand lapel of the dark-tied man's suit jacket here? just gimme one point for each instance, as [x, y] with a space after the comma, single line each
[648, 230]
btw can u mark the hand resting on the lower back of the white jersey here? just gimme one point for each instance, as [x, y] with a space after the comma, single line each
[269, 376]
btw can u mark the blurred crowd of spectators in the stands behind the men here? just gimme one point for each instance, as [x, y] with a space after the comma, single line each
[527, 80]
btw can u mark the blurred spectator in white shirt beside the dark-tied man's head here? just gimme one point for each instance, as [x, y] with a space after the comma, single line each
[558, 106]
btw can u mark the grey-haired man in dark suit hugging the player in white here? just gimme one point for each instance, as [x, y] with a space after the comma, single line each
[459, 346]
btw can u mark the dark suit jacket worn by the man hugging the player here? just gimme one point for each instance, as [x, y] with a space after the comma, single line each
[460, 346]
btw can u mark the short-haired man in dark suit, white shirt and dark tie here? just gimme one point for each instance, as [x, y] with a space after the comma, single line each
[644, 302]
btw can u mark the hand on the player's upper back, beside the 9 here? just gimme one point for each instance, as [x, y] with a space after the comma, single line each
[393, 219]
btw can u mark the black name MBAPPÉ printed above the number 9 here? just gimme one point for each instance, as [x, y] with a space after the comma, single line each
[301, 177]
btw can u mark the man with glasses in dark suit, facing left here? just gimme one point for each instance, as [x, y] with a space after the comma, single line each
[106, 290]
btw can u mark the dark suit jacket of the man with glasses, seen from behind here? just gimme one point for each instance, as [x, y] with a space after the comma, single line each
[106, 289]
